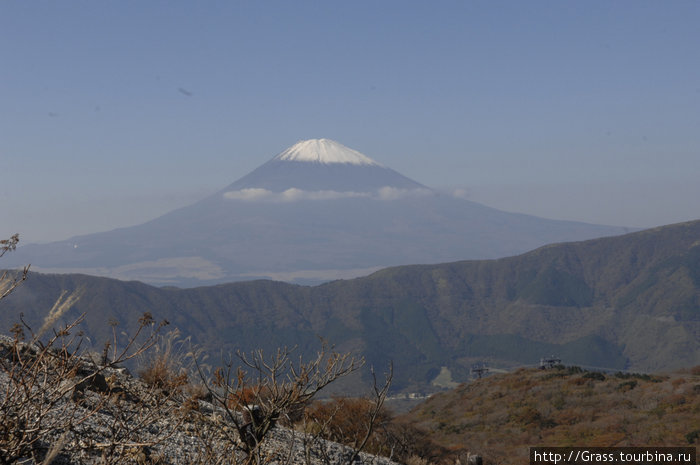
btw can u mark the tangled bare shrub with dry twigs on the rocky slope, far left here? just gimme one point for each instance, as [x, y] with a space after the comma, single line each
[50, 390]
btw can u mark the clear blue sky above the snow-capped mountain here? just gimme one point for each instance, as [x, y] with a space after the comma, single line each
[112, 113]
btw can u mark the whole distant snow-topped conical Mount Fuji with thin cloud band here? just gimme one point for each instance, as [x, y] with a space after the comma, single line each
[317, 211]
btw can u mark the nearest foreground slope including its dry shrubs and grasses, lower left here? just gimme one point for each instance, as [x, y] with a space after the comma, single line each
[65, 407]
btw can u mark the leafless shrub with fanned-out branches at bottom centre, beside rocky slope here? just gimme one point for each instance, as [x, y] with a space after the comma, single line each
[256, 392]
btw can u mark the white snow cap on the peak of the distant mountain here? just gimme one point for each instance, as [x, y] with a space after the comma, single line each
[324, 151]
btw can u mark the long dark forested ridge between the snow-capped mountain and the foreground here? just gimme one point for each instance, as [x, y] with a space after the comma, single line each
[625, 302]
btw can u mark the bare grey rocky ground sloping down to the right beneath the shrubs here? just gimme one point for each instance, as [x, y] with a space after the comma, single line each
[63, 409]
